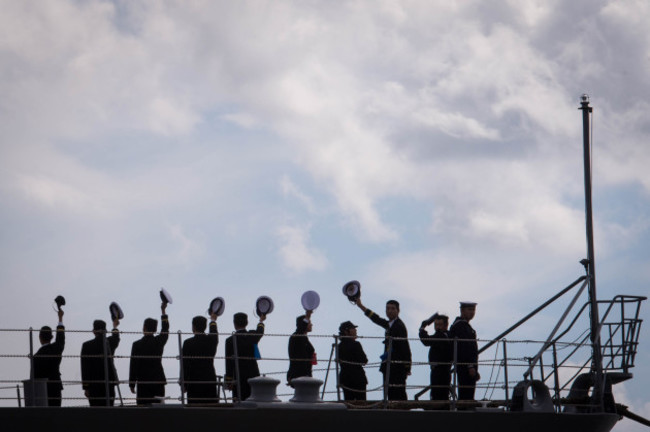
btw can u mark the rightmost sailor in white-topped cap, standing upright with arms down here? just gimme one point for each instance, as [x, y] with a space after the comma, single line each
[466, 351]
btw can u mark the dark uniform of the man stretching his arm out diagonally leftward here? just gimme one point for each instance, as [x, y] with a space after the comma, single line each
[400, 356]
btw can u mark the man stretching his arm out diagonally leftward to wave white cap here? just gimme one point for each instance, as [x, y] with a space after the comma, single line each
[396, 349]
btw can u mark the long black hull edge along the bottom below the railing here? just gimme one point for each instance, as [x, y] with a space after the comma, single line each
[290, 420]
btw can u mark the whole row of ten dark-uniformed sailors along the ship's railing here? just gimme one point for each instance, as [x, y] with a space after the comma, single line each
[147, 377]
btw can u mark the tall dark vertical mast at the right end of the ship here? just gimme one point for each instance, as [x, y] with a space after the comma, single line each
[596, 359]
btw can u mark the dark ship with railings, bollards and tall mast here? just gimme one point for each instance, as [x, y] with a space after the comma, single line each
[566, 384]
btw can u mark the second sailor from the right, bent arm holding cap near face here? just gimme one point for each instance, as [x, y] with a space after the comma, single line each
[440, 355]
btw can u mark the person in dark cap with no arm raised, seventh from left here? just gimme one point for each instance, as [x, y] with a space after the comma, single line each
[352, 358]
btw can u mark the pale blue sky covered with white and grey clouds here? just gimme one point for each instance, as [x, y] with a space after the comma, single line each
[431, 150]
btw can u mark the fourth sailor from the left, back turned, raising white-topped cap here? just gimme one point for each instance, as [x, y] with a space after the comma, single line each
[198, 374]
